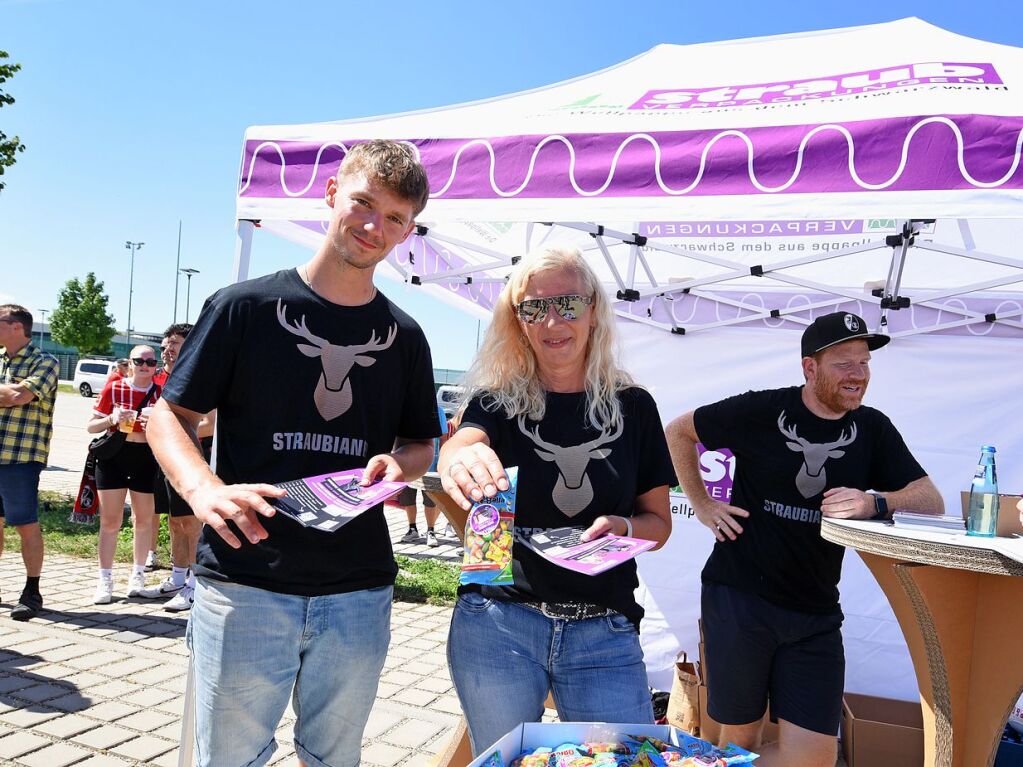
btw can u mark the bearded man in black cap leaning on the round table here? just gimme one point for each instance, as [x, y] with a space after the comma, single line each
[770, 604]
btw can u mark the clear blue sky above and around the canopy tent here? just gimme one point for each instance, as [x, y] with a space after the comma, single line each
[134, 113]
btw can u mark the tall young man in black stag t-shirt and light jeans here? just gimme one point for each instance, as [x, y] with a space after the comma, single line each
[312, 371]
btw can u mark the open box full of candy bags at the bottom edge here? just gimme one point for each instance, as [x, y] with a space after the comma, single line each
[599, 744]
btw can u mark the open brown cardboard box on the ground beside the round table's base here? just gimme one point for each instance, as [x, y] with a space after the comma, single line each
[882, 732]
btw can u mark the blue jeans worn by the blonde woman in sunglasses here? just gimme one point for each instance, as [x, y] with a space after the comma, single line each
[506, 658]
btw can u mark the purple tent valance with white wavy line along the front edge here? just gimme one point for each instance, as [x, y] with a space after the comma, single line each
[939, 153]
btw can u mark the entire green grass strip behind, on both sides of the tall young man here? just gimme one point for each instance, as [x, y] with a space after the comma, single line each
[429, 581]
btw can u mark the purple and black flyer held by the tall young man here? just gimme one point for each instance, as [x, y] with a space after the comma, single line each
[331, 502]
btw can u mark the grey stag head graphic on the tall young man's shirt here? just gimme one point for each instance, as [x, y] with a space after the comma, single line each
[334, 390]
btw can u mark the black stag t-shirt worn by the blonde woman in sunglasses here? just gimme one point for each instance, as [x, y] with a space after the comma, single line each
[571, 473]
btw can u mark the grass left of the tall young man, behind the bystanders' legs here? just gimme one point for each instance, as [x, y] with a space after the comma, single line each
[62, 536]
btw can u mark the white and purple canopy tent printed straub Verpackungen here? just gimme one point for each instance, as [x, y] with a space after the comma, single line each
[728, 194]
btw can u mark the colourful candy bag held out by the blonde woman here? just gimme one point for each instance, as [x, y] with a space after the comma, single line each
[490, 536]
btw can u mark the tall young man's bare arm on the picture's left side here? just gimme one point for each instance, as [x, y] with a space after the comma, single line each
[172, 435]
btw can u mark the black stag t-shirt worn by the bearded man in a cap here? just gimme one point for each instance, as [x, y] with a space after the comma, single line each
[786, 458]
